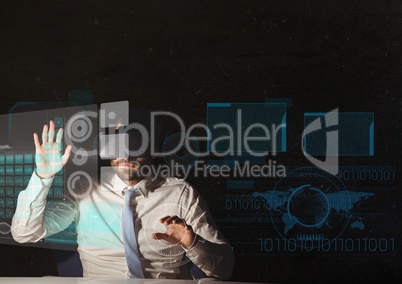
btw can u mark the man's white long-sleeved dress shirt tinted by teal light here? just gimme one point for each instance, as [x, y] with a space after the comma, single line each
[99, 235]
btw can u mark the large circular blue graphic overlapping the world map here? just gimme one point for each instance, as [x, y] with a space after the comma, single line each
[309, 204]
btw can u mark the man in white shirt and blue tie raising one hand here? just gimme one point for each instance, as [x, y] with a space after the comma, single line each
[130, 224]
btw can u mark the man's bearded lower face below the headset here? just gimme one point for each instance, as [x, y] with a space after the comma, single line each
[130, 171]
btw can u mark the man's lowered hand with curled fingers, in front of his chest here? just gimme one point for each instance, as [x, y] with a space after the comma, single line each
[179, 232]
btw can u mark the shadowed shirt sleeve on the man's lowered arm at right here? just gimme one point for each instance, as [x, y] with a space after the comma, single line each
[211, 252]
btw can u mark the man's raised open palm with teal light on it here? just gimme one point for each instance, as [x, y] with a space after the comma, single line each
[48, 155]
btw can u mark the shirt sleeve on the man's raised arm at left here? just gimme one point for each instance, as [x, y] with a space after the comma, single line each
[34, 218]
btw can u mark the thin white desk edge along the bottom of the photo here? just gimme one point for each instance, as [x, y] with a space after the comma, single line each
[65, 280]
